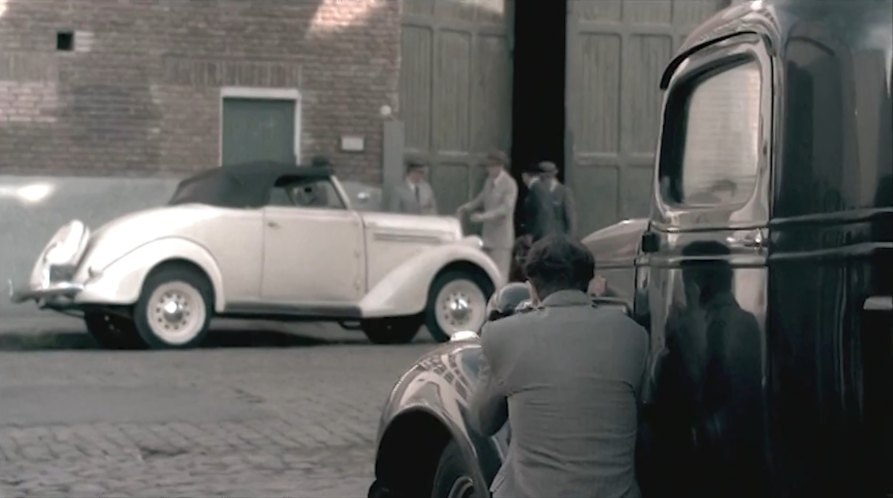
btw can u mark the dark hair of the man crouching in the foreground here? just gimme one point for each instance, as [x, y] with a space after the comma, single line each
[557, 263]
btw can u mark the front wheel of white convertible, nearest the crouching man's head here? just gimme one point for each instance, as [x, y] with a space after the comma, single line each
[457, 302]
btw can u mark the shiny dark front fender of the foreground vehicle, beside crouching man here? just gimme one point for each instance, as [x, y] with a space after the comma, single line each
[438, 387]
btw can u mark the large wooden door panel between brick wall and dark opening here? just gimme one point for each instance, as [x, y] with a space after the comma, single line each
[456, 89]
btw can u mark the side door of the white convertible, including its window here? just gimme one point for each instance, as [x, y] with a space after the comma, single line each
[313, 246]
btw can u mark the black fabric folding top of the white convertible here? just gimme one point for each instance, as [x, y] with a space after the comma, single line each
[240, 186]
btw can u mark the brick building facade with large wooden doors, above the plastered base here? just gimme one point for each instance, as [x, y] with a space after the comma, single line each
[155, 87]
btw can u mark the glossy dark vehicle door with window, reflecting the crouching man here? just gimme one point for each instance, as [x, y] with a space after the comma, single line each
[706, 276]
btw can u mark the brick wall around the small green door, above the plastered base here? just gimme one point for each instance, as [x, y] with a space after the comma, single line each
[140, 94]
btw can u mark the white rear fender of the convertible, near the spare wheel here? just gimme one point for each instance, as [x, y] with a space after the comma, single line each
[121, 281]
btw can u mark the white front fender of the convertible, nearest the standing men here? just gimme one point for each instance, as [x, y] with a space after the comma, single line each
[404, 291]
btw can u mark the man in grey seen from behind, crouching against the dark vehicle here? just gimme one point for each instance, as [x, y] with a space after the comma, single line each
[567, 377]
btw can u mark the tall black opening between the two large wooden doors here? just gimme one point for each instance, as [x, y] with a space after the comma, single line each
[538, 84]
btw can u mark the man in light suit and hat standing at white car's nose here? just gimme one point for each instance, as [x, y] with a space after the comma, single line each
[497, 202]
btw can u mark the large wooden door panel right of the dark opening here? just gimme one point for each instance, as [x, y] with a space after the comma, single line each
[616, 52]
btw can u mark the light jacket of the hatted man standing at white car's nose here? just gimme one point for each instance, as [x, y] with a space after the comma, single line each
[497, 199]
